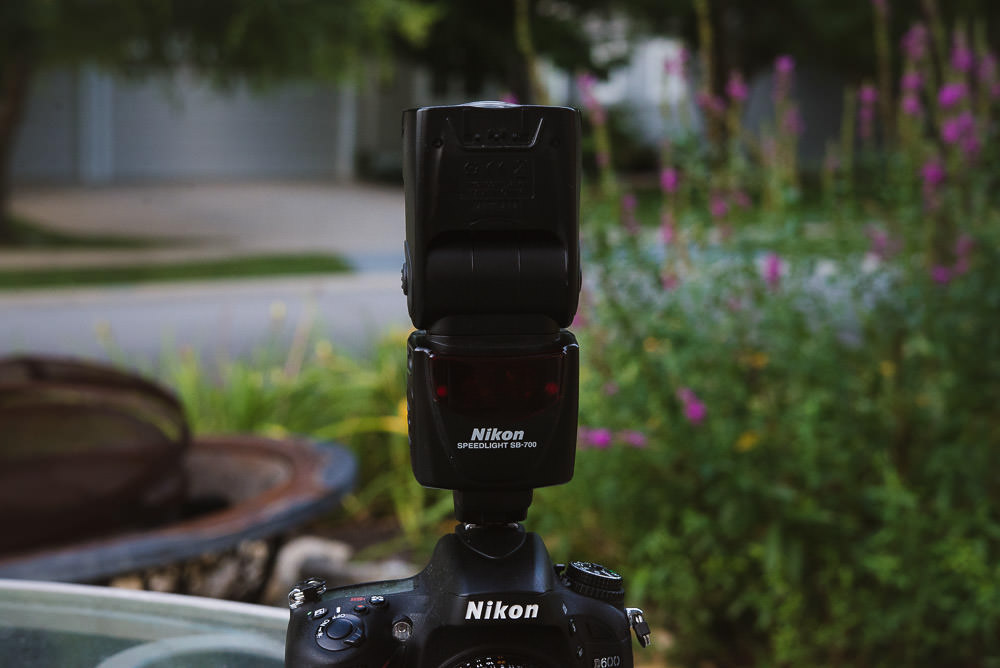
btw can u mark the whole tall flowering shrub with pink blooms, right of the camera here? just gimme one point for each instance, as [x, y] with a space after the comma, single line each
[790, 440]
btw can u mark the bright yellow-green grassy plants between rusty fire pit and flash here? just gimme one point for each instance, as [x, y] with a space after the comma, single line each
[318, 393]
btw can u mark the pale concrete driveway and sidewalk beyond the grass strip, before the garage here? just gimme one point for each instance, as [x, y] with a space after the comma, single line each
[364, 223]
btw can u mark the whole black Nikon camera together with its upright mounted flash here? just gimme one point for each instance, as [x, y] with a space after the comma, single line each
[492, 279]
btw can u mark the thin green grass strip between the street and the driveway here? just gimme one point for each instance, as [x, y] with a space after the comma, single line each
[241, 267]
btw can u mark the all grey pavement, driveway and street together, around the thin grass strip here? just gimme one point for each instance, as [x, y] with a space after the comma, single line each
[364, 223]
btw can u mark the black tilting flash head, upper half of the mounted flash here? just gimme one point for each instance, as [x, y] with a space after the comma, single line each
[492, 217]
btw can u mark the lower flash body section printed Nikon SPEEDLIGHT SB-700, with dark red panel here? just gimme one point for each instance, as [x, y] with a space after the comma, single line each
[492, 414]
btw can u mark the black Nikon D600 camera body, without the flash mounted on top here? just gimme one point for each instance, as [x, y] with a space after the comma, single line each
[487, 592]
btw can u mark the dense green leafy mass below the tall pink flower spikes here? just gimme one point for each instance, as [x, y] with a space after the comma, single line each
[838, 502]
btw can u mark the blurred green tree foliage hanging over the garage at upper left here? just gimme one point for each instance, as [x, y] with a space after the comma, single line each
[259, 41]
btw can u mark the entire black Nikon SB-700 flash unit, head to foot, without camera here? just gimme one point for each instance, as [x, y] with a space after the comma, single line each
[492, 278]
